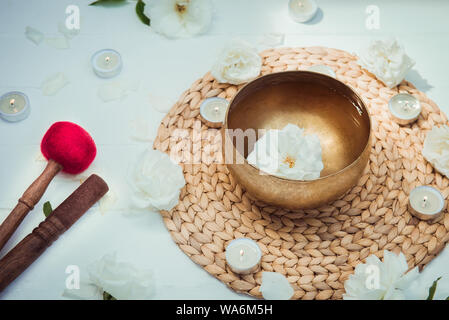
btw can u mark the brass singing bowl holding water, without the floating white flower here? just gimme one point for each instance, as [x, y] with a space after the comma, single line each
[321, 105]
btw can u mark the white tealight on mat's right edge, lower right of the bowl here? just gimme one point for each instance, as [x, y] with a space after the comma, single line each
[426, 203]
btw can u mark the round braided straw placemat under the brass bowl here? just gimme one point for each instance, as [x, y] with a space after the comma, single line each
[315, 249]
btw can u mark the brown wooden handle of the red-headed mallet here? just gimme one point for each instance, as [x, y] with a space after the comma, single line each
[29, 199]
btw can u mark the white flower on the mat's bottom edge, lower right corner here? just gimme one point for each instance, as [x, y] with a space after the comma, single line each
[376, 280]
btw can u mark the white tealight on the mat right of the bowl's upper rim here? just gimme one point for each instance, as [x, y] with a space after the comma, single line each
[404, 108]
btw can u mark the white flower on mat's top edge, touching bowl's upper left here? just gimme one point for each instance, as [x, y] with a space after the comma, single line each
[238, 63]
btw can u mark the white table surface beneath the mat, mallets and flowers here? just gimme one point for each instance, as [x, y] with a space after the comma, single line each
[164, 68]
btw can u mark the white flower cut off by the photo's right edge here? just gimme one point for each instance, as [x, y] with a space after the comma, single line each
[436, 149]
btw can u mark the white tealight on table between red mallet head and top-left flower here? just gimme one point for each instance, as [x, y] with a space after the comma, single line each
[106, 63]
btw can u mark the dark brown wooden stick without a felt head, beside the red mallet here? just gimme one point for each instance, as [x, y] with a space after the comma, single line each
[61, 219]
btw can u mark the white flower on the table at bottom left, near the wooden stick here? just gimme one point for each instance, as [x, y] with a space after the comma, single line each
[121, 280]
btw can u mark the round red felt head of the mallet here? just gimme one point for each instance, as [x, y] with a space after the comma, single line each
[69, 145]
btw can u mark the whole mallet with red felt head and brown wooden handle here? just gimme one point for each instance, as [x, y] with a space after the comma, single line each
[67, 147]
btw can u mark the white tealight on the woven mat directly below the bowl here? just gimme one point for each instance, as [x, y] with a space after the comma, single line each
[243, 255]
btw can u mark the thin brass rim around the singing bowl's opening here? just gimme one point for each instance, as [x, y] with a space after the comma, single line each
[225, 127]
